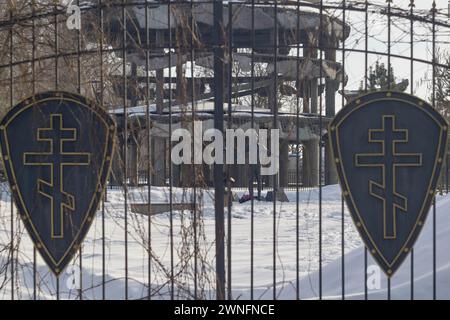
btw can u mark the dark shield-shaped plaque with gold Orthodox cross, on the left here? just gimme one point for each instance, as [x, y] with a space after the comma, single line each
[56, 150]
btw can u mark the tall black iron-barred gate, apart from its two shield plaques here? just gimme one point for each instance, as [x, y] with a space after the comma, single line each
[159, 66]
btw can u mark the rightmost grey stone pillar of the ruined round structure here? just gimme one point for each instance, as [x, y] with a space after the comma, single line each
[331, 86]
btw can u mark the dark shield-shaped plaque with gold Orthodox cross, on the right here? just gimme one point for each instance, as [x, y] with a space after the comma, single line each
[388, 149]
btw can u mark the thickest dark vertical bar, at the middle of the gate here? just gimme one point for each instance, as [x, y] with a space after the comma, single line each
[218, 168]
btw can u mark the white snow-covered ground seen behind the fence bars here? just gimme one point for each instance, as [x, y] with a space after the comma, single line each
[183, 253]
